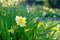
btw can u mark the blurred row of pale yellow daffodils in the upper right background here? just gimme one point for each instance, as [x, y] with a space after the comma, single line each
[42, 9]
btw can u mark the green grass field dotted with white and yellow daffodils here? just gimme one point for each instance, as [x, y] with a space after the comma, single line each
[26, 23]
